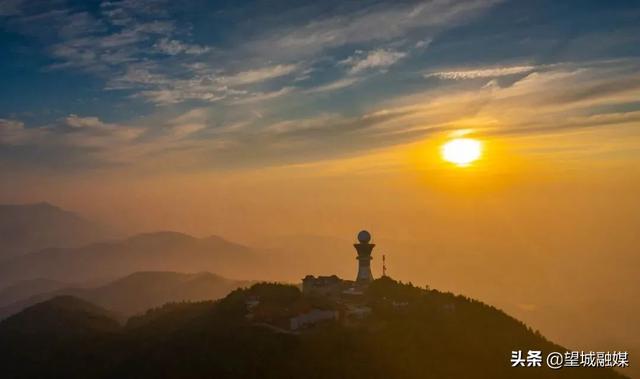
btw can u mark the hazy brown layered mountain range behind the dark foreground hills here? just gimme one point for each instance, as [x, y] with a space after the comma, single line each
[47, 252]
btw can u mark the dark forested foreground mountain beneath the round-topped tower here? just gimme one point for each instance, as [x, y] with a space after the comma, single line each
[410, 333]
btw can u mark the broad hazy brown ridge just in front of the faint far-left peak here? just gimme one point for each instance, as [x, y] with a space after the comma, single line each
[162, 251]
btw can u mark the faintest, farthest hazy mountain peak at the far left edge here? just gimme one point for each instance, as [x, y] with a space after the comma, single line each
[24, 228]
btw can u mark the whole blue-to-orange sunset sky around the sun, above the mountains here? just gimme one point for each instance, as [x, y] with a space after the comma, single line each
[263, 120]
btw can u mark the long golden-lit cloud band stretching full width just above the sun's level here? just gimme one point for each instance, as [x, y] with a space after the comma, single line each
[550, 101]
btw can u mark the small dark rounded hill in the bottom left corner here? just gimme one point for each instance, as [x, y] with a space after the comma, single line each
[58, 331]
